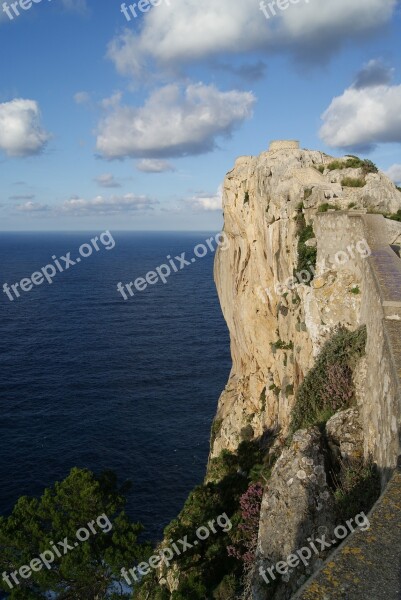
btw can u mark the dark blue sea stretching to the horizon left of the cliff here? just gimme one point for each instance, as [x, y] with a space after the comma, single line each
[90, 380]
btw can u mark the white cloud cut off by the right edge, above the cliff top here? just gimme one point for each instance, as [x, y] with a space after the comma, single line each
[363, 118]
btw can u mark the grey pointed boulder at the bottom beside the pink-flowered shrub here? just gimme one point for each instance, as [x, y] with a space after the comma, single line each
[297, 506]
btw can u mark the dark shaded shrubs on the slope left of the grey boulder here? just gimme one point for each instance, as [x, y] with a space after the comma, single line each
[207, 570]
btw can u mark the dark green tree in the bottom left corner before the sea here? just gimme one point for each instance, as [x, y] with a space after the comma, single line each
[92, 568]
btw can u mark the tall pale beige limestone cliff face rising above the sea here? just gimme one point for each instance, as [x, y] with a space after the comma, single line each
[276, 327]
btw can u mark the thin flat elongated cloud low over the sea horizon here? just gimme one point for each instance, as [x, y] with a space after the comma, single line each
[129, 203]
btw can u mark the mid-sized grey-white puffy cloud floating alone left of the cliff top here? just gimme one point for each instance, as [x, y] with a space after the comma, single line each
[173, 122]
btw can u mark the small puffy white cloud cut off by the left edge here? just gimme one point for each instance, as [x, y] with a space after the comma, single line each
[21, 133]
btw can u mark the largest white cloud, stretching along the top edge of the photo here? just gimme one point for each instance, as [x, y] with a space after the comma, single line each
[196, 30]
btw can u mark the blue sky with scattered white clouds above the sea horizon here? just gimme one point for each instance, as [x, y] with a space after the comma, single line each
[124, 118]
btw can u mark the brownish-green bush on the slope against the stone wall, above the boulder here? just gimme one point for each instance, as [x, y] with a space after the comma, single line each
[328, 387]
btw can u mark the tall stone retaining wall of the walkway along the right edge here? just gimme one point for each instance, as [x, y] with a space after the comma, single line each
[380, 276]
